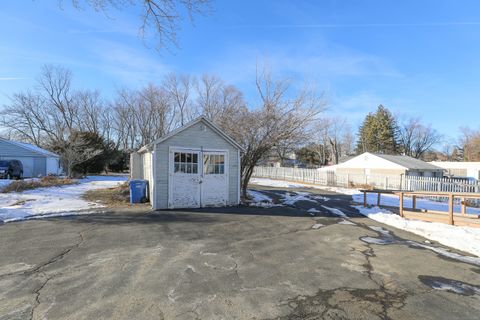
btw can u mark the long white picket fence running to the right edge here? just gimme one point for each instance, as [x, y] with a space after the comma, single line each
[389, 182]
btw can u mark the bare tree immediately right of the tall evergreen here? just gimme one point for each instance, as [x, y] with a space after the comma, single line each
[416, 139]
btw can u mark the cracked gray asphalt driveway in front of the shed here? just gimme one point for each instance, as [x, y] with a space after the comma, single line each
[229, 263]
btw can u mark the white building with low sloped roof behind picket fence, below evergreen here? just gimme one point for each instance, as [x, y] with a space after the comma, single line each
[383, 164]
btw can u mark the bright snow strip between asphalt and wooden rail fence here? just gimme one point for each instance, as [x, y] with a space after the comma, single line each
[461, 238]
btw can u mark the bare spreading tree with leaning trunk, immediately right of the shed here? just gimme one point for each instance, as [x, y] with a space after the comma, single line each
[282, 116]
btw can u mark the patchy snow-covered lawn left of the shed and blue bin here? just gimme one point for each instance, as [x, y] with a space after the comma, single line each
[54, 201]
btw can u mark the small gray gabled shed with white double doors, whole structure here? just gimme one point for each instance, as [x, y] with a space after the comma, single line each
[195, 166]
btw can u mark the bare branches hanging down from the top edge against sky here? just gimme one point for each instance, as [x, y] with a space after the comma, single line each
[160, 18]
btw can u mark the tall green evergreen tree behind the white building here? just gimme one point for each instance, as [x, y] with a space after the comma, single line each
[378, 133]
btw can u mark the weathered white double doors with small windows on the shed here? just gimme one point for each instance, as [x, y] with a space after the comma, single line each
[197, 178]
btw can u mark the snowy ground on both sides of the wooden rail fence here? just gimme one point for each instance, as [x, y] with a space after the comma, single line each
[462, 238]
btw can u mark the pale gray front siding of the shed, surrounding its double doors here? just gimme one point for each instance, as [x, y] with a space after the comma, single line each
[194, 137]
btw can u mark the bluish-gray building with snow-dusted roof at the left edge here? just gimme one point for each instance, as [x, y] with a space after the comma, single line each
[36, 161]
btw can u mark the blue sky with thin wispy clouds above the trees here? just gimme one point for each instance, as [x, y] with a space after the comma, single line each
[419, 58]
